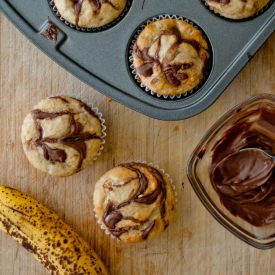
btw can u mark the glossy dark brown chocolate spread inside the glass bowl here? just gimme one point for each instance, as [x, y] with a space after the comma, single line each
[245, 180]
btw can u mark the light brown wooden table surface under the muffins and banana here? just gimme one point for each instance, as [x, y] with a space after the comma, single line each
[195, 243]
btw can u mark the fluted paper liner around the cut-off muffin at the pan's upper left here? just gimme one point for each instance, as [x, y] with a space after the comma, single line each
[90, 30]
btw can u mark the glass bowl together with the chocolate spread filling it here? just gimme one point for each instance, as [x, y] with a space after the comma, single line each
[233, 178]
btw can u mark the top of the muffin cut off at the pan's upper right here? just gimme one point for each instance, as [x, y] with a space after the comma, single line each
[237, 9]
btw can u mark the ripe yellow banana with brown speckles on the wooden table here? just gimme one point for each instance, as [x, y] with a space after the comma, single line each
[46, 235]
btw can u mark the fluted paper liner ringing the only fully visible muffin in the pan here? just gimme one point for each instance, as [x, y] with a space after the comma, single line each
[130, 59]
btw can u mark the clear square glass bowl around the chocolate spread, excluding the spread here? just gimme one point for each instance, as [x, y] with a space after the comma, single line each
[198, 172]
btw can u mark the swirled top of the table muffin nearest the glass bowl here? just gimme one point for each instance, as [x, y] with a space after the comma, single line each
[134, 202]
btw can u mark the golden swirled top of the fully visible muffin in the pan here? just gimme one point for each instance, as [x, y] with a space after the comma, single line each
[171, 56]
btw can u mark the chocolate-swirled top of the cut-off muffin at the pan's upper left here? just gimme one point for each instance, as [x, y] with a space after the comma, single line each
[90, 13]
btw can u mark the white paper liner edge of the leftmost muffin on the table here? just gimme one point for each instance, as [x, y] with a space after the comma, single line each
[102, 123]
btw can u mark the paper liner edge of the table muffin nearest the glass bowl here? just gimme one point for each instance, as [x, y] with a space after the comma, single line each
[103, 227]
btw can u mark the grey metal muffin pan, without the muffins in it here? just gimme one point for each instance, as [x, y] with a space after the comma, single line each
[100, 59]
